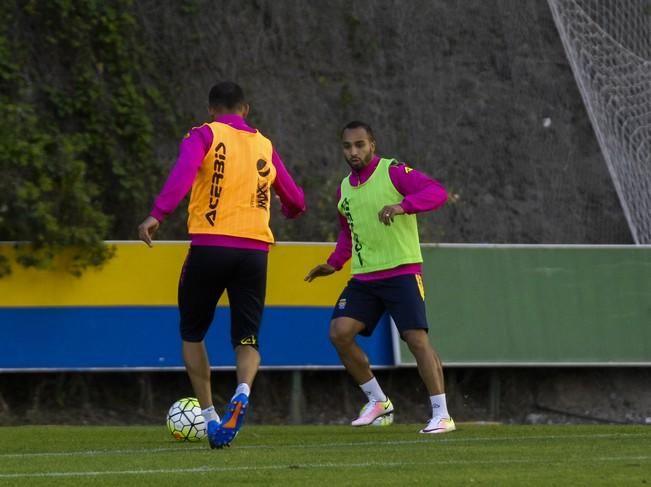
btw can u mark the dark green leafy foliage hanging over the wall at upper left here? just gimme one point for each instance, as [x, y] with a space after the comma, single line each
[76, 128]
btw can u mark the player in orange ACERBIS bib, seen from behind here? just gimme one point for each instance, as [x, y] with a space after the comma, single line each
[230, 168]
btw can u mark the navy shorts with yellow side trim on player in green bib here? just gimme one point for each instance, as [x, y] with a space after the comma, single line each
[403, 297]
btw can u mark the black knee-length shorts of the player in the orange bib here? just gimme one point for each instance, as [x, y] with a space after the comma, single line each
[206, 273]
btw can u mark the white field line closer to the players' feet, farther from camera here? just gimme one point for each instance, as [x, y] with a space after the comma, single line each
[423, 439]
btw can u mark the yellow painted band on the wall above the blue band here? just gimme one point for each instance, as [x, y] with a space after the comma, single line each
[143, 276]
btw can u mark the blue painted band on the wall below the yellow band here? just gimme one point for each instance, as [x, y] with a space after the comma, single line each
[128, 337]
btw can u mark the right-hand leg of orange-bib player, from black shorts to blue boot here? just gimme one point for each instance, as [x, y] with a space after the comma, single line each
[246, 294]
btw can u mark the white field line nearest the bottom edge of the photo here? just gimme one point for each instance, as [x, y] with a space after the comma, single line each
[291, 466]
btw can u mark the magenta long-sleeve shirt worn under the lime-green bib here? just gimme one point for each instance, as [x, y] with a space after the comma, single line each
[421, 193]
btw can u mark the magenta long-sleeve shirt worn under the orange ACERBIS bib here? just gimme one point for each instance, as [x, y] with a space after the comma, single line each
[194, 148]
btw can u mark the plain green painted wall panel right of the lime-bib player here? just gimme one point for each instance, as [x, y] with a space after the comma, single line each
[538, 305]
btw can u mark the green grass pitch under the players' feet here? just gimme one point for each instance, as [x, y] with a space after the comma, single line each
[560, 455]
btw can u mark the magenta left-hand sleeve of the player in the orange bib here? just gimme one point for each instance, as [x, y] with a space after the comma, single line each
[193, 149]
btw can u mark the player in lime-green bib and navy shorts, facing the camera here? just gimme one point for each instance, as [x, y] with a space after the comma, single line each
[378, 202]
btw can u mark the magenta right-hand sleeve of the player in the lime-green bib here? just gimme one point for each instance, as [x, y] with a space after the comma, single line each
[421, 193]
